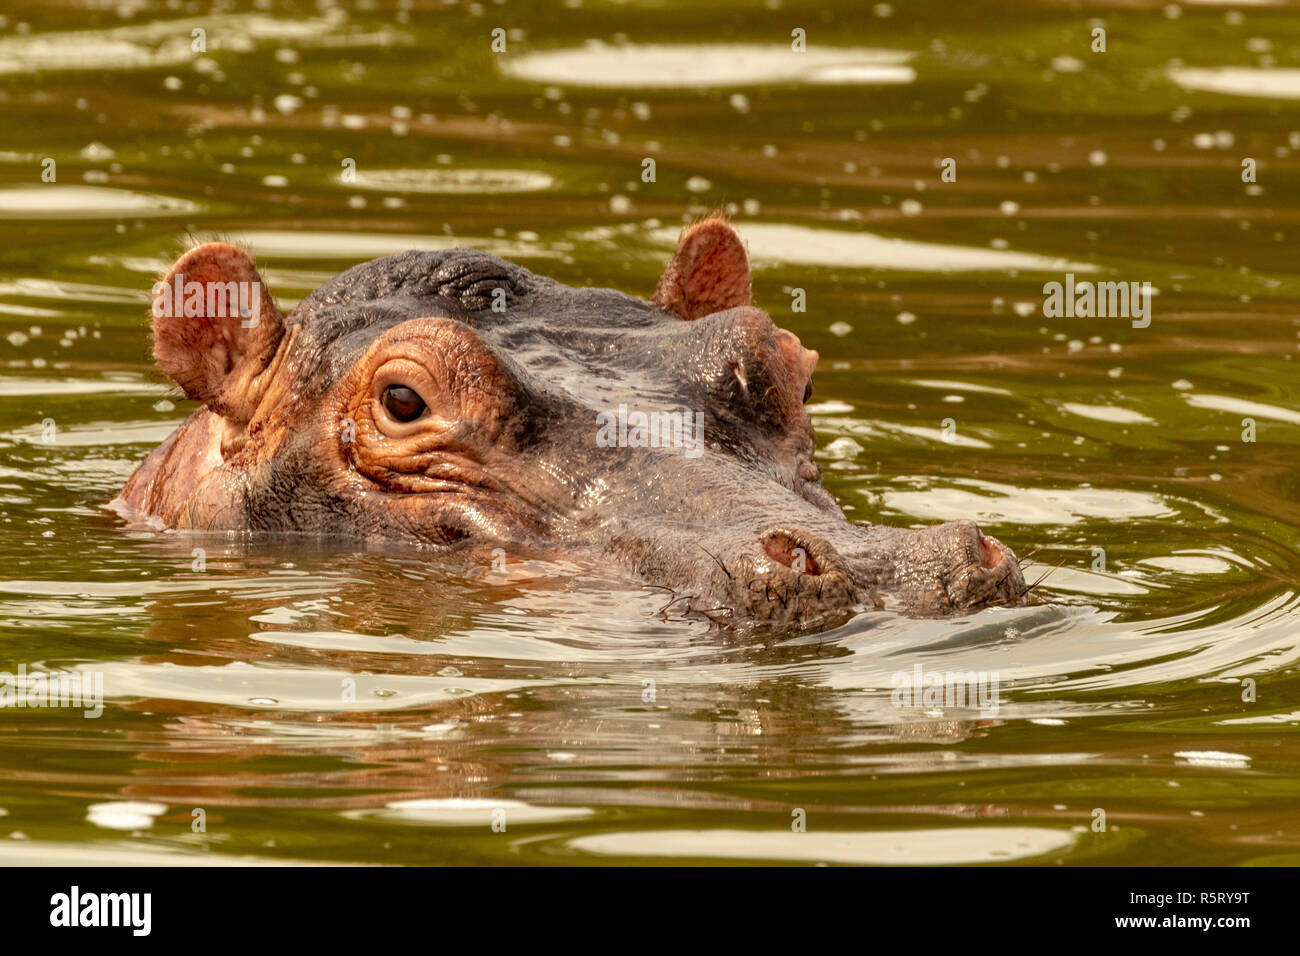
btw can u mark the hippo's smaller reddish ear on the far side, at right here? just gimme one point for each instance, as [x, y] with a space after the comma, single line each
[708, 274]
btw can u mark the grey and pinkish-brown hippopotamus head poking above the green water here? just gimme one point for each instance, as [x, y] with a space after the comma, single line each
[456, 401]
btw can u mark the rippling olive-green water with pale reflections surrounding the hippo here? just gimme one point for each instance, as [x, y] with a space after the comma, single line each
[1158, 684]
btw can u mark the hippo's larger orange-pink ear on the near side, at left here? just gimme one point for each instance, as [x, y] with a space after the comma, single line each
[216, 328]
